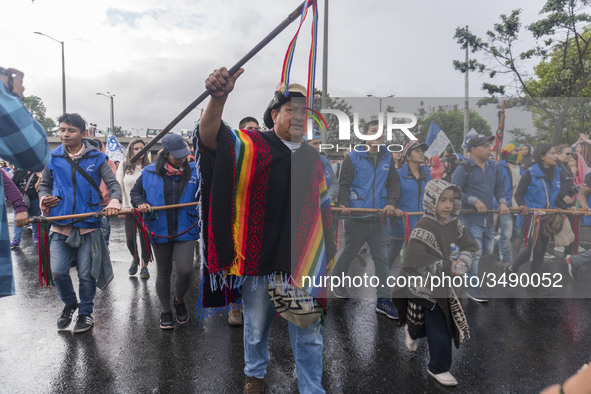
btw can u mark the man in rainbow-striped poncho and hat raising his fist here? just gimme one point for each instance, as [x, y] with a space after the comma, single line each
[266, 228]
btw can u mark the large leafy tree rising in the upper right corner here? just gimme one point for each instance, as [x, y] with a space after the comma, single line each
[562, 41]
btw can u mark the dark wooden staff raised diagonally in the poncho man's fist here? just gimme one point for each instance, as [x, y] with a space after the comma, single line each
[292, 17]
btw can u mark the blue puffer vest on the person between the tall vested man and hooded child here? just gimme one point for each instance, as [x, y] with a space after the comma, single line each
[411, 197]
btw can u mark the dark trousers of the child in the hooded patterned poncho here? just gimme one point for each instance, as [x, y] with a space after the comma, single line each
[438, 337]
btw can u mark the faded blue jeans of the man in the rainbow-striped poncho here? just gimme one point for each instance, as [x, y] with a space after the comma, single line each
[306, 344]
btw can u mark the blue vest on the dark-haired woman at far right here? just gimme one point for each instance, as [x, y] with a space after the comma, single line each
[536, 192]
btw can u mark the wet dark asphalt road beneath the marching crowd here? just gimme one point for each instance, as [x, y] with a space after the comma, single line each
[516, 345]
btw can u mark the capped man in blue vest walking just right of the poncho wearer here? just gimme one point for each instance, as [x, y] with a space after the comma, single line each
[369, 180]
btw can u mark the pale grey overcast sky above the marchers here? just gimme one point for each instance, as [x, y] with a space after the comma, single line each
[155, 55]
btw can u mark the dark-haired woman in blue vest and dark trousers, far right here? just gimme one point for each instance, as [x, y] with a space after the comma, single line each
[539, 187]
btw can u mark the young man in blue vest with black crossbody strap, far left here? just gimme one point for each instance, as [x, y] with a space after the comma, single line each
[69, 186]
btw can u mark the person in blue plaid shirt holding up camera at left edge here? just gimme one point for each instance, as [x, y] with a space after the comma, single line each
[24, 143]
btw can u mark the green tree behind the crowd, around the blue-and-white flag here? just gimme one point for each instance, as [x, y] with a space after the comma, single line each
[451, 120]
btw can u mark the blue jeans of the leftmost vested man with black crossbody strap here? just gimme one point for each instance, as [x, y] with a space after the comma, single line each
[62, 255]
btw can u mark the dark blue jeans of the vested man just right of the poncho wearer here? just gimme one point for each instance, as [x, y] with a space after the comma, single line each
[377, 236]
